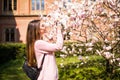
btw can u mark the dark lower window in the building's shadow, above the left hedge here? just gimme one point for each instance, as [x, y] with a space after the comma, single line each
[10, 34]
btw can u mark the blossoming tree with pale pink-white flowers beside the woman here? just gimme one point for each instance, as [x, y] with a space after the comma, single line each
[91, 20]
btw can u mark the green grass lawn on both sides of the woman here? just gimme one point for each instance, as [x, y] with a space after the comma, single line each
[70, 68]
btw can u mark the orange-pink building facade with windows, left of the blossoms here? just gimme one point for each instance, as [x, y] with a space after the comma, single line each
[15, 16]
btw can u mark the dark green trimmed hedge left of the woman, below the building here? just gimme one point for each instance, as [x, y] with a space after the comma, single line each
[10, 51]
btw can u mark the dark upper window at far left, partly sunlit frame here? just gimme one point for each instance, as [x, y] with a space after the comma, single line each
[10, 5]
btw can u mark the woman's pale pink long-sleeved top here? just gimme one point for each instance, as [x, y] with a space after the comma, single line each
[49, 70]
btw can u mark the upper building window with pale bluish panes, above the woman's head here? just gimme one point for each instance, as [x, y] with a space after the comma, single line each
[37, 4]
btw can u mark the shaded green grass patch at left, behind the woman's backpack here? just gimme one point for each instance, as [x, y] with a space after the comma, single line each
[12, 71]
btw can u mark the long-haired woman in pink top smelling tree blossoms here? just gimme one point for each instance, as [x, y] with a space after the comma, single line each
[38, 44]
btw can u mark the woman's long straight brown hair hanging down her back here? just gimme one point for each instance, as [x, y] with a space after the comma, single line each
[33, 34]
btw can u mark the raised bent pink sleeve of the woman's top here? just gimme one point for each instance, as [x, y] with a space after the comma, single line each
[50, 47]
